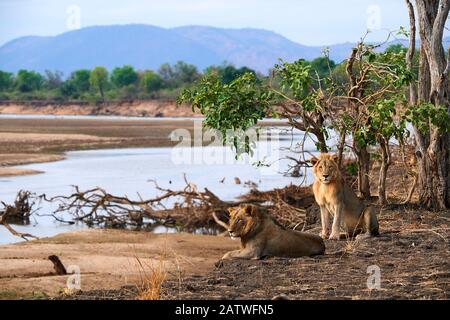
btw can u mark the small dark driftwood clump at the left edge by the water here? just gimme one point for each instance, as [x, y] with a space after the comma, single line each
[21, 211]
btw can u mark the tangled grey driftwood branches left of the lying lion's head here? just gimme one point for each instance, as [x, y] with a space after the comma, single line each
[192, 208]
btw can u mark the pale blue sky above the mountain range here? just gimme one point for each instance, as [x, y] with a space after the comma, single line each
[309, 22]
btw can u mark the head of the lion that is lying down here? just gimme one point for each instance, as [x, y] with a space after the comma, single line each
[243, 220]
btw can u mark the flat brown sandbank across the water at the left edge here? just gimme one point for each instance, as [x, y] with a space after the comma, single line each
[26, 141]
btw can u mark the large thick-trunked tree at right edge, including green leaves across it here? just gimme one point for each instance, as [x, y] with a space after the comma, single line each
[430, 104]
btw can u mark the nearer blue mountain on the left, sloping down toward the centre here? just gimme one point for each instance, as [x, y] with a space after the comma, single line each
[109, 46]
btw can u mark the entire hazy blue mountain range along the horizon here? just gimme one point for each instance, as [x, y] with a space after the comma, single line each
[147, 47]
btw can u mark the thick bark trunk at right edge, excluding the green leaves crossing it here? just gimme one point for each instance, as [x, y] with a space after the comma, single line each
[432, 146]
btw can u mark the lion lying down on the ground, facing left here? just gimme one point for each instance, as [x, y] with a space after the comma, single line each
[262, 236]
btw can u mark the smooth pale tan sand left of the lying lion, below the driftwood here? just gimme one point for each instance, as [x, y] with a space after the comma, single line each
[108, 259]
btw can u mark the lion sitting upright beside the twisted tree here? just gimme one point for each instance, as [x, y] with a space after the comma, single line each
[336, 198]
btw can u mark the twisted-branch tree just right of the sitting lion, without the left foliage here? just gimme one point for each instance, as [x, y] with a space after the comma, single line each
[376, 84]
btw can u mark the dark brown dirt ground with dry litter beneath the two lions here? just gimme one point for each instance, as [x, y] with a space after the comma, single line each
[412, 254]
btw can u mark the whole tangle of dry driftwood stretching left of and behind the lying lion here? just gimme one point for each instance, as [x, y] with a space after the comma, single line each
[192, 209]
